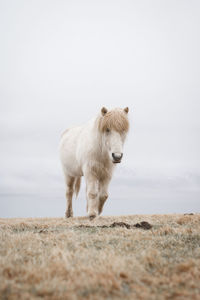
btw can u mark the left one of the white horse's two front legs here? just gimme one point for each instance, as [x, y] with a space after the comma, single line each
[92, 191]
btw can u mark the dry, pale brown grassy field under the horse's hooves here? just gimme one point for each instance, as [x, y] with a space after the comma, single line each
[82, 259]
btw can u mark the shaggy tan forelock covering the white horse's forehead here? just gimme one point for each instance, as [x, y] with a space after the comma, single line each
[114, 119]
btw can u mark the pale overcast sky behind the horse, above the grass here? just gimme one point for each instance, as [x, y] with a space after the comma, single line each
[61, 61]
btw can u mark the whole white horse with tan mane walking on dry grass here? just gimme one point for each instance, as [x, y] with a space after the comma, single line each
[92, 150]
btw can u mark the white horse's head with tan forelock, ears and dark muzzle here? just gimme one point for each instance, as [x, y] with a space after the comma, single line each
[114, 126]
